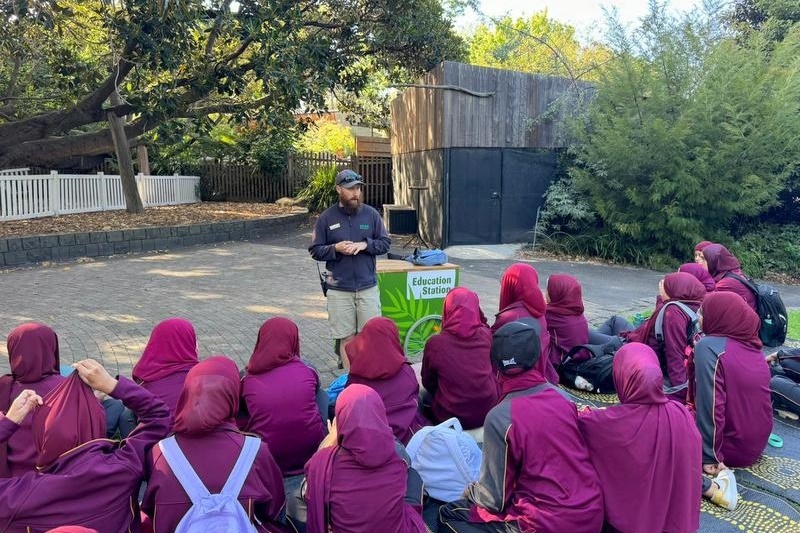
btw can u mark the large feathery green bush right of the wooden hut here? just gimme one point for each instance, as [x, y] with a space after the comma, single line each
[689, 131]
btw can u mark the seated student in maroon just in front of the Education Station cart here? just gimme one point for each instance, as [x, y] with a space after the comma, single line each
[456, 370]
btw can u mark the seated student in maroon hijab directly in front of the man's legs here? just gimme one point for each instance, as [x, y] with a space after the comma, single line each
[377, 360]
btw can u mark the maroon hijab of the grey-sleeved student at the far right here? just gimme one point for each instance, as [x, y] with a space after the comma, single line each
[726, 314]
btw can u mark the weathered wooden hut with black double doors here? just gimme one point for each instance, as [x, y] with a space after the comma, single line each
[474, 150]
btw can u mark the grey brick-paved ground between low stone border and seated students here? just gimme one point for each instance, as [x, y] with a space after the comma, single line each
[106, 308]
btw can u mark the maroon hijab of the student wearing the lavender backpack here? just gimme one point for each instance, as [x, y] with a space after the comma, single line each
[210, 397]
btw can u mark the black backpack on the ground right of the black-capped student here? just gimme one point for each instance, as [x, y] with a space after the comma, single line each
[598, 370]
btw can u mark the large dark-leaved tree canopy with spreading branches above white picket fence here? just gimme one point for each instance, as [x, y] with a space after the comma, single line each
[61, 60]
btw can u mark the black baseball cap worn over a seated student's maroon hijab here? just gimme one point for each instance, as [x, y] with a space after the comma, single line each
[516, 346]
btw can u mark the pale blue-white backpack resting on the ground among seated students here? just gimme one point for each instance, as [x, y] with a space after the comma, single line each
[447, 459]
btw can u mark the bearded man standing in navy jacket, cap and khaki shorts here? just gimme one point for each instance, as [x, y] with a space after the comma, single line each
[348, 236]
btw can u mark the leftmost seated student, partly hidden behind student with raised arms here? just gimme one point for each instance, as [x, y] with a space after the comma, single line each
[34, 360]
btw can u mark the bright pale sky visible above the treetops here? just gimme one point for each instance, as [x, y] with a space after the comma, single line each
[585, 15]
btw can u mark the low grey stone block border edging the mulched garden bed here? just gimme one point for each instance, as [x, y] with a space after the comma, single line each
[35, 249]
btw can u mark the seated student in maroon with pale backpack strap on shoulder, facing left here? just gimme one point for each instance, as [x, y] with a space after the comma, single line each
[678, 287]
